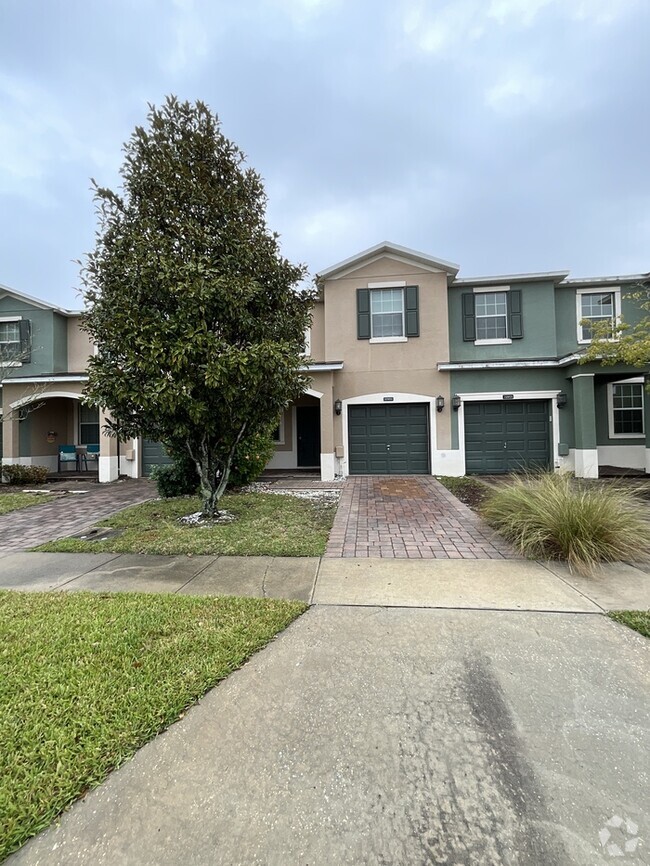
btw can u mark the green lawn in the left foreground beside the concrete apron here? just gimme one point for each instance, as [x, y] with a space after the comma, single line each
[87, 679]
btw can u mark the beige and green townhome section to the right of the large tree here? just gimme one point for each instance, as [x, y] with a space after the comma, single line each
[416, 370]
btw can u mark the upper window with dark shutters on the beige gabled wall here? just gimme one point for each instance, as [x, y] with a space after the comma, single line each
[387, 313]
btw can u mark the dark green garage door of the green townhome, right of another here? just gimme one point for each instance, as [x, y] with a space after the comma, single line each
[506, 436]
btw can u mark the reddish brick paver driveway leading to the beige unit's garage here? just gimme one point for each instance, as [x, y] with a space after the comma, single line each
[409, 517]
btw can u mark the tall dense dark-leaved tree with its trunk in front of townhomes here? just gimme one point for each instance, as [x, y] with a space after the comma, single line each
[197, 316]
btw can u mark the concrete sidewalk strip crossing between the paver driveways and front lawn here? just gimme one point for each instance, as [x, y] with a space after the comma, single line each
[480, 584]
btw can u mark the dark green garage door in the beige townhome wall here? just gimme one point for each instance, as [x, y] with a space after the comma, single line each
[389, 439]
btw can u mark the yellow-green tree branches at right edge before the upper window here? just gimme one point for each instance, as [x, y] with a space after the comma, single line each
[623, 343]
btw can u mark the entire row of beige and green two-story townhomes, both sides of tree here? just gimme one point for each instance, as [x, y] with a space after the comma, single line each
[413, 370]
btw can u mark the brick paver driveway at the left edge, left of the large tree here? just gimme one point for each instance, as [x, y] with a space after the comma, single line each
[20, 530]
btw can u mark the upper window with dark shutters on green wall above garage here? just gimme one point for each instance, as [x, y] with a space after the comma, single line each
[492, 316]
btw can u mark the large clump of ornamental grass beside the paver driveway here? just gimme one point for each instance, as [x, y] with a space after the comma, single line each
[554, 516]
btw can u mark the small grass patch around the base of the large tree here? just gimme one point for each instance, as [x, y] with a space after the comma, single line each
[266, 525]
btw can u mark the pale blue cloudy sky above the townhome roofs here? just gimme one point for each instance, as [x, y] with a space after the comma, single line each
[504, 135]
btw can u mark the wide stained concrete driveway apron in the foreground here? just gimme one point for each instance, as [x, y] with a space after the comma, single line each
[367, 735]
